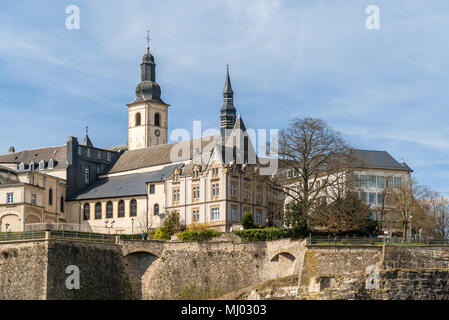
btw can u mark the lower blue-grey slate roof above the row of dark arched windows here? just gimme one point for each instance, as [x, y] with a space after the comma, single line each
[125, 185]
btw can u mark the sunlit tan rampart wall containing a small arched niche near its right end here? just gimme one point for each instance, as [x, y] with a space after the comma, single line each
[192, 270]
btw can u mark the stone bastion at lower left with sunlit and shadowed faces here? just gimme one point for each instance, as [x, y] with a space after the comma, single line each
[37, 270]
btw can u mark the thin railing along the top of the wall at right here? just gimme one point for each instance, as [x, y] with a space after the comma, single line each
[348, 240]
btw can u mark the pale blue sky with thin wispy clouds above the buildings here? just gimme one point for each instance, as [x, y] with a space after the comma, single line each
[384, 89]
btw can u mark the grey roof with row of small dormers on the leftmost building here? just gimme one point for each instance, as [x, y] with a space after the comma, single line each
[58, 154]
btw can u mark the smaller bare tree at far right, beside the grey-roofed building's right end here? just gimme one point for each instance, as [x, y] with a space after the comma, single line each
[403, 204]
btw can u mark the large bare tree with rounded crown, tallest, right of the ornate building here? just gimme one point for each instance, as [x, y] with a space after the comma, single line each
[314, 158]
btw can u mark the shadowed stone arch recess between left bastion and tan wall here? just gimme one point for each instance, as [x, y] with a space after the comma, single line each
[137, 264]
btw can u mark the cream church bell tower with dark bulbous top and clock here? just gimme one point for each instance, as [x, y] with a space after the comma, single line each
[147, 114]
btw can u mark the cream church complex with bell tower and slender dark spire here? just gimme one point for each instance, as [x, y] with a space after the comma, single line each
[131, 188]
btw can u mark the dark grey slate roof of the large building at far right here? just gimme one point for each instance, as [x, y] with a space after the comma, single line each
[378, 160]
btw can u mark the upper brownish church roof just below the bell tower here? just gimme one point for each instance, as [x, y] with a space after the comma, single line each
[156, 155]
